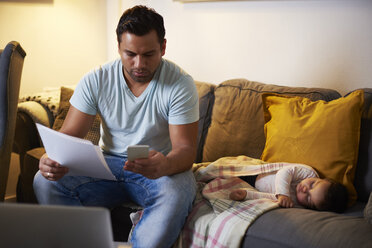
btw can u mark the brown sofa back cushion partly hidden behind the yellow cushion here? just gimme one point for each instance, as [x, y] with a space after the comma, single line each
[237, 125]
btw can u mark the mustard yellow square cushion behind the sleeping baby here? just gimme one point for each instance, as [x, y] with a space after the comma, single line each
[324, 135]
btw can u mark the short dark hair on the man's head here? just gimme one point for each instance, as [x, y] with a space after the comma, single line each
[140, 20]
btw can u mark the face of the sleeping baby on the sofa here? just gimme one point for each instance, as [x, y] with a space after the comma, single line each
[310, 192]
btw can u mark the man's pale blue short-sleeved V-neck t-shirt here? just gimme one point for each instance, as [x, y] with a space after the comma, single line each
[170, 98]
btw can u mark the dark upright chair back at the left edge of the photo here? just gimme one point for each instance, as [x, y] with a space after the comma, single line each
[11, 65]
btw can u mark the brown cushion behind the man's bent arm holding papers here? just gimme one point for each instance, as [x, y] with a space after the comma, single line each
[64, 105]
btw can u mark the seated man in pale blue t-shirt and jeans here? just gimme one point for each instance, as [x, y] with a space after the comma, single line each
[142, 99]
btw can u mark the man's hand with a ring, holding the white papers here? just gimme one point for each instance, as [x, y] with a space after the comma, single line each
[51, 169]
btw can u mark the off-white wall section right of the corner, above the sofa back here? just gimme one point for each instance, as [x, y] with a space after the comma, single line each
[300, 43]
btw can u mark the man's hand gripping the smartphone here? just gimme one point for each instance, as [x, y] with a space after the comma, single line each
[155, 166]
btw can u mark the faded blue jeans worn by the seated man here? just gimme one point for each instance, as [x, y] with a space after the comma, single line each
[166, 200]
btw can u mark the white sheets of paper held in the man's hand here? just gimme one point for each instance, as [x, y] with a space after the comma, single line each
[79, 155]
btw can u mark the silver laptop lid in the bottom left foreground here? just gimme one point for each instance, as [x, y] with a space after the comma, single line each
[27, 225]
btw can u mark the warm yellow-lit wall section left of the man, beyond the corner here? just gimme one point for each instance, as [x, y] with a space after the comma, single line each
[63, 39]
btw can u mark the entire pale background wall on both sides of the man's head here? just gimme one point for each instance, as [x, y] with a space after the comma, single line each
[301, 43]
